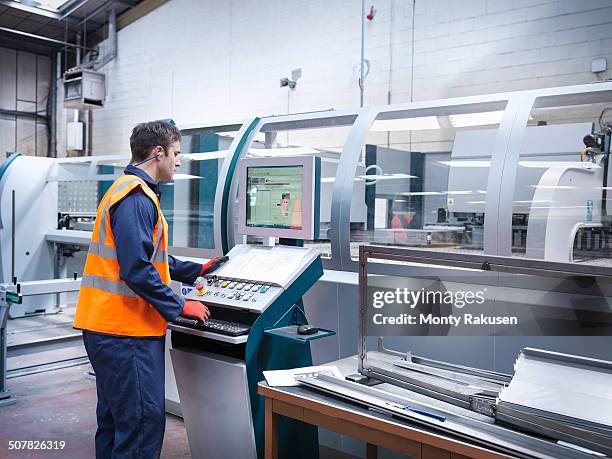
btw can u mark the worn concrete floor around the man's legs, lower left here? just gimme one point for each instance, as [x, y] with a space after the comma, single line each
[60, 405]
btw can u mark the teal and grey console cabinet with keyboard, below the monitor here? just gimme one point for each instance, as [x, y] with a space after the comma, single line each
[217, 374]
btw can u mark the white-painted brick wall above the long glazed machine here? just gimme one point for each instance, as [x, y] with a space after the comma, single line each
[219, 59]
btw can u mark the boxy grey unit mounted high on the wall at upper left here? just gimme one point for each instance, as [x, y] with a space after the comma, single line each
[84, 89]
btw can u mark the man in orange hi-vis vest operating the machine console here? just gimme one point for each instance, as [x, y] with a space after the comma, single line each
[125, 300]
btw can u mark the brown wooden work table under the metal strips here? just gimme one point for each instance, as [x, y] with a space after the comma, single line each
[374, 428]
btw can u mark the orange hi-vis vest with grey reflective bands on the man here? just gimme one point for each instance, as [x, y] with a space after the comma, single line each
[106, 304]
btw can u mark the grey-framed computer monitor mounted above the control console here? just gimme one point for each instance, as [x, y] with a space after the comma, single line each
[279, 197]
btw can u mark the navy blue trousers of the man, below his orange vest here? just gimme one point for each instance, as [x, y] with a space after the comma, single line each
[131, 395]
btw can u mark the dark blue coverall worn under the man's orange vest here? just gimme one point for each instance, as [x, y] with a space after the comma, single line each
[130, 371]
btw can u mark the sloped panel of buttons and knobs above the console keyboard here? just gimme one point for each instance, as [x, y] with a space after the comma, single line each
[233, 293]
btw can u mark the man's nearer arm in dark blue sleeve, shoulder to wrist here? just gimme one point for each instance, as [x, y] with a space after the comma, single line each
[133, 220]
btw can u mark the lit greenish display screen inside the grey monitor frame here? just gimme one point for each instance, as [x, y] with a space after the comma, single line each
[274, 196]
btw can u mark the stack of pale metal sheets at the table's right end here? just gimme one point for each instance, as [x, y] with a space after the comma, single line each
[566, 397]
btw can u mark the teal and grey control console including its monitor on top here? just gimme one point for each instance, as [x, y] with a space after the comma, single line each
[256, 307]
